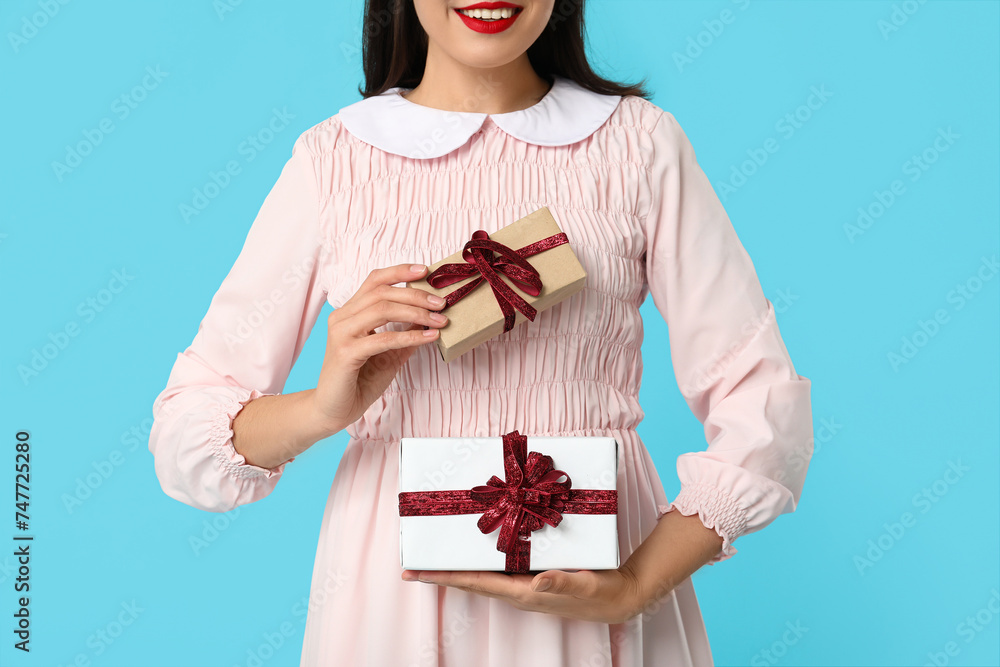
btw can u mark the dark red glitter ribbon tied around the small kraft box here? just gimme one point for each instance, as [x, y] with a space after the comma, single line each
[478, 254]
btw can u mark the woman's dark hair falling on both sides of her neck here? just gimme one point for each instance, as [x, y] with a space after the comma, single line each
[394, 49]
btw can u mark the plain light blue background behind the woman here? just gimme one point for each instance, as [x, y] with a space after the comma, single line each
[844, 307]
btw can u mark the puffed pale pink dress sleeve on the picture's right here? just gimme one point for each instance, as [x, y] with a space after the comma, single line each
[729, 359]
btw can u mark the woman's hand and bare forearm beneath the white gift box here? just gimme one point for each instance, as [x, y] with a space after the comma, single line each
[672, 552]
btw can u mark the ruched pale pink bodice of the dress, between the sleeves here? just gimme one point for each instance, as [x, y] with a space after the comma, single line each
[578, 366]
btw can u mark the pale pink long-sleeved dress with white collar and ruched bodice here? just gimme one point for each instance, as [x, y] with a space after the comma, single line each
[388, 181]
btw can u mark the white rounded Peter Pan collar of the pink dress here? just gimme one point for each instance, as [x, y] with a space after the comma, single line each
[566, 114]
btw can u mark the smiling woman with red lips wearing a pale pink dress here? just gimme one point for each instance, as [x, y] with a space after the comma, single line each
[473, 121]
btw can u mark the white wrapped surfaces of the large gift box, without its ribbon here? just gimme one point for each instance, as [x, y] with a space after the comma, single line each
[456, 542]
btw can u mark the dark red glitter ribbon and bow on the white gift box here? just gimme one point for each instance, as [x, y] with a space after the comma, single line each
[534, 494]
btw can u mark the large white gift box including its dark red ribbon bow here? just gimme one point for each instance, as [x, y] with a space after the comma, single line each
[510, 503]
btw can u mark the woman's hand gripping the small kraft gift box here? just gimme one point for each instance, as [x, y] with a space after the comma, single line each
[359, 364]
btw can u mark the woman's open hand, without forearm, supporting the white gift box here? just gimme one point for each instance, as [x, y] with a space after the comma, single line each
[606, 596]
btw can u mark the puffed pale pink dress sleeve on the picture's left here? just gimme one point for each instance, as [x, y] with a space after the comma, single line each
[245, 346]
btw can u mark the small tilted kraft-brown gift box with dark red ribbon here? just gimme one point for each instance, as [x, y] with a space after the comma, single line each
[527, 266]
